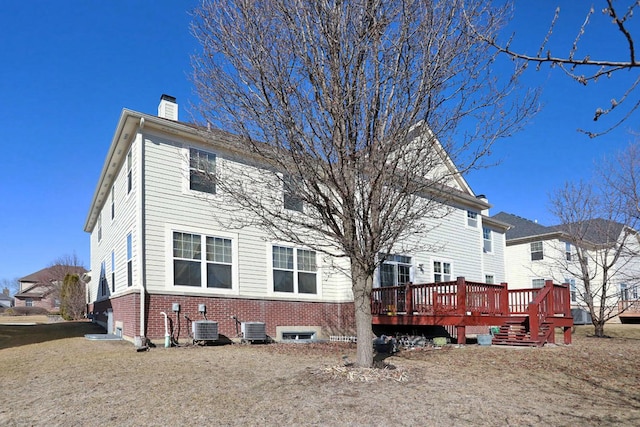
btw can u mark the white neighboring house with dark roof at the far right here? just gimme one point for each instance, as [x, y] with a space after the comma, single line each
[536, 253]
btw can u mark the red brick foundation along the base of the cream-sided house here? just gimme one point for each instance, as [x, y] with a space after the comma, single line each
[333, 318]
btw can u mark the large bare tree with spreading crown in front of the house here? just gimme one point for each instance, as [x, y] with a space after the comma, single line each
[351, 106]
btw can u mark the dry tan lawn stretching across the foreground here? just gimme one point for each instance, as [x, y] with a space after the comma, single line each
[52, 375]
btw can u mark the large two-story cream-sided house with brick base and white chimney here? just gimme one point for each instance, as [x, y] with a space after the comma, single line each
[158, 246]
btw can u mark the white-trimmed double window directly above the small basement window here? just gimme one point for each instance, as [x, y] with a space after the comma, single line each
[294, 270]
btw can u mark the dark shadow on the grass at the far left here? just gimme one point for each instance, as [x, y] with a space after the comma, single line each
[18, 335]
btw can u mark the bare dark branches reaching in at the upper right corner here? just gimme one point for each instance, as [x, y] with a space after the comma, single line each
[585, 68]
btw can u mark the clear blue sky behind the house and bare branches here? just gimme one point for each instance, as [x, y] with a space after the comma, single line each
[67, 72]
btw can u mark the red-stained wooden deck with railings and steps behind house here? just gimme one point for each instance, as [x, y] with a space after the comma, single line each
[525, 316]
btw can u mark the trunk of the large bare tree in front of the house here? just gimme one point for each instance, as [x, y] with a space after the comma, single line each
[361, 285]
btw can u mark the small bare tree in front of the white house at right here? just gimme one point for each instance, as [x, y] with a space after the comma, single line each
[597, 223]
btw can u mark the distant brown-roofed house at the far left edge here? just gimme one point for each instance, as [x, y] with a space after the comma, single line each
[40, 289]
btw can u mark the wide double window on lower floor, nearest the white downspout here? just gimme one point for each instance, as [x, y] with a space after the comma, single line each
[211, 268]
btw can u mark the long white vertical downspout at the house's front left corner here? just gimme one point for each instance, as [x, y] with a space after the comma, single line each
[140, 225]
